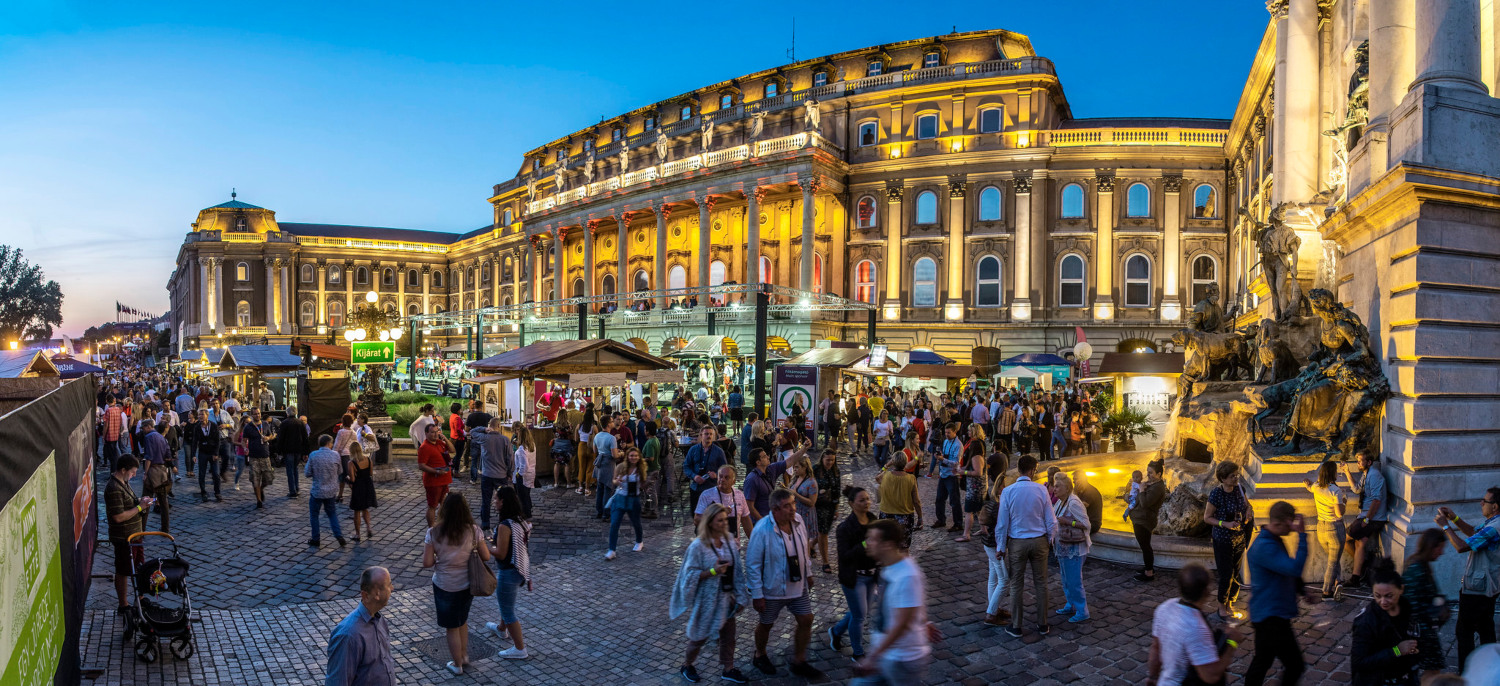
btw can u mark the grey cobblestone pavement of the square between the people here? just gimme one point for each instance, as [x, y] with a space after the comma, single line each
[268, 604]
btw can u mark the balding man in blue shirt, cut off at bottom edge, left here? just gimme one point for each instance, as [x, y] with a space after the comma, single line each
[359, 649]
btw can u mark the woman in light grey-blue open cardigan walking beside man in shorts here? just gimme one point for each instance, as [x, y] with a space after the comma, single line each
[712, 586]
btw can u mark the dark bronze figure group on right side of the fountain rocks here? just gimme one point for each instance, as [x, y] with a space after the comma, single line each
[1337, 399]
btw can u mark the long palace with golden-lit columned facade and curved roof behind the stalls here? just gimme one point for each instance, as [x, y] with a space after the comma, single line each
[941, 181]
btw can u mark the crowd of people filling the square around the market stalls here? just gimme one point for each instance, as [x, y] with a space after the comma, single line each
[773, 511]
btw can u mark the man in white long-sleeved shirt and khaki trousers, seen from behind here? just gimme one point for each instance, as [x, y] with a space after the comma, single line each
[1024, 531]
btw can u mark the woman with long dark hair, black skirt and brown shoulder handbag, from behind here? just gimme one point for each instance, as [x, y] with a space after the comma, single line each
[448, 549]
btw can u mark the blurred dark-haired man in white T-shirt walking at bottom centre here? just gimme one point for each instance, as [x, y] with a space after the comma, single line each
[902, 633]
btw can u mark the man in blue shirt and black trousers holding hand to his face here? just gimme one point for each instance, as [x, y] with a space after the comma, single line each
[1276, 582]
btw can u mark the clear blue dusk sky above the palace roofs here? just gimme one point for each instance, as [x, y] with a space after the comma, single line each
[121, 121]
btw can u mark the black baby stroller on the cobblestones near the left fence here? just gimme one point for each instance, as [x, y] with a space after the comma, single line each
[163, 607]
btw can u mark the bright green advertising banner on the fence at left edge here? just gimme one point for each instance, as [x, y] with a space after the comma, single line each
[31, 582]
